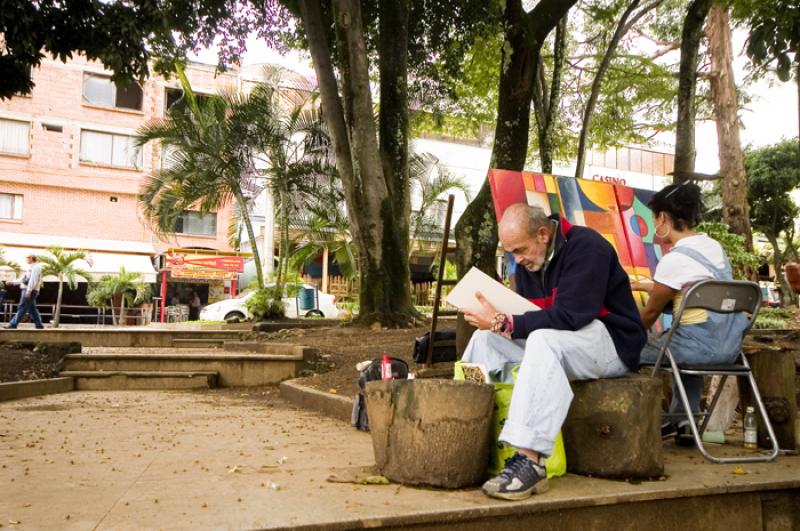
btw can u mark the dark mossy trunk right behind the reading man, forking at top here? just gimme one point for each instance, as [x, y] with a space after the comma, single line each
[476, 230]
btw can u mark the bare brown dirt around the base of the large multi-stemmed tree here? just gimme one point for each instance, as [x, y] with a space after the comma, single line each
[341, 347]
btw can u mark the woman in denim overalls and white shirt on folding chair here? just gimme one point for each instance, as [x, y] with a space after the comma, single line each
[704, 337]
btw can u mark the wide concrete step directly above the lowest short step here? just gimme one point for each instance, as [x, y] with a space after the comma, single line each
[234, 369]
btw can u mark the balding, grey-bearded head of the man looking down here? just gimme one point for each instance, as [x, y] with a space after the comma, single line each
[525, 231]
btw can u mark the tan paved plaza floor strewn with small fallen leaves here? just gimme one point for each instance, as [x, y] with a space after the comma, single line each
[245, 459]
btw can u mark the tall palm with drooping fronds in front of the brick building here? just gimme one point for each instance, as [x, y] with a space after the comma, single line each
[212, 157]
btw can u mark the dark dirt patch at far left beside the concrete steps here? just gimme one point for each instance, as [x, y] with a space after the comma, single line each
[29, 362]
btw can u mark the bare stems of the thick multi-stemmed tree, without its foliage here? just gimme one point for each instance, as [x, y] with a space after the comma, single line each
[382, 242]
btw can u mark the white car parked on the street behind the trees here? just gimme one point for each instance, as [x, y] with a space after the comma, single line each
[236, 309]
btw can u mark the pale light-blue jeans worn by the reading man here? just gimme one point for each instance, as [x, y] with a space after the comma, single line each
[549, 360]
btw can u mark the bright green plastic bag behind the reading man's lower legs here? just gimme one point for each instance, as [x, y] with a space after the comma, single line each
[556, 464]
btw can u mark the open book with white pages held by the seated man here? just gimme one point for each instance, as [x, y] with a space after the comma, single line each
[503, 299]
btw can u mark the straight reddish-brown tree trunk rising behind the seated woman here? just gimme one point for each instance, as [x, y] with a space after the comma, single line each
[735, 209]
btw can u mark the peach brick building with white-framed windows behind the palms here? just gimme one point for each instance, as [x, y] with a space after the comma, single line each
[69, 170]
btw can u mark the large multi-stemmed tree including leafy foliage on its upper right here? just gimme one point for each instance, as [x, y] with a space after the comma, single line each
[346, 37]
